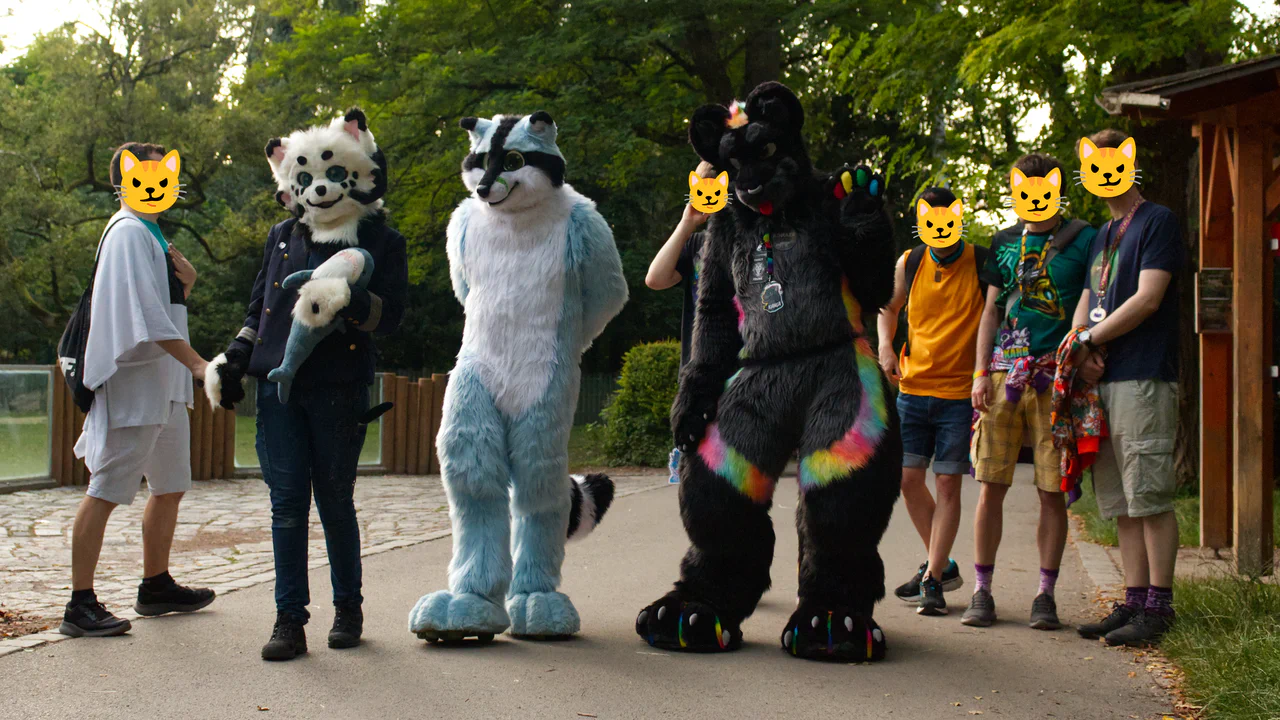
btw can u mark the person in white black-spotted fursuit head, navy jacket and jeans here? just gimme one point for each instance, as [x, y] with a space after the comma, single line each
[333, 179]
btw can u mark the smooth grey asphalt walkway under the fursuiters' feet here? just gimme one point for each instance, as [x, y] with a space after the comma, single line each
[209, 666]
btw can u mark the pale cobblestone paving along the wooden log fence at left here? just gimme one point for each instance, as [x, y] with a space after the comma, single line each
[223, 539]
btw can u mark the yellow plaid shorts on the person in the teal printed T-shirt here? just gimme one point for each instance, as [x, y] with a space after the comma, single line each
[1000, 435]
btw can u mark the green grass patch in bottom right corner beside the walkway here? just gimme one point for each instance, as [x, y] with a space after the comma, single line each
[1228, 644]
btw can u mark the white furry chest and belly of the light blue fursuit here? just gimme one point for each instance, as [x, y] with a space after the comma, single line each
[515, 270]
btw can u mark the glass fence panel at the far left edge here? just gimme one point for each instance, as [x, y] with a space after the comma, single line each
[26, 421]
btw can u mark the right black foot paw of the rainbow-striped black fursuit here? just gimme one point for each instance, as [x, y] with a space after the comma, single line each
[839, 635]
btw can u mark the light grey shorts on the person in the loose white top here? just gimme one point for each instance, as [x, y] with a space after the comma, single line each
[162, 454]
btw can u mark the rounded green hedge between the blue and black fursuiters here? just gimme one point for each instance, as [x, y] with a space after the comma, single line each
[637, 422]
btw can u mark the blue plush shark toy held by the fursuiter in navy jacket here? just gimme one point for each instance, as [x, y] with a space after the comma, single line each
[327, 290]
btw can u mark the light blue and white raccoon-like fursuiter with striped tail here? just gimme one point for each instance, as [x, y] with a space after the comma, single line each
[538, 275]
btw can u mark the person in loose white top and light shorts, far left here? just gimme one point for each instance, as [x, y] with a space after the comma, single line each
[140, 366]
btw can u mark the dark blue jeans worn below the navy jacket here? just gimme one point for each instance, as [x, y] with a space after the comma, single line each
[312, 445]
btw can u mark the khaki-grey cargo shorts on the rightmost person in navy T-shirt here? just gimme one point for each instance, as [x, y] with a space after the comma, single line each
[1135, 472]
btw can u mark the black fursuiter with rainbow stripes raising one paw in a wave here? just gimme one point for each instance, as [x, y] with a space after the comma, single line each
[781, 368]
